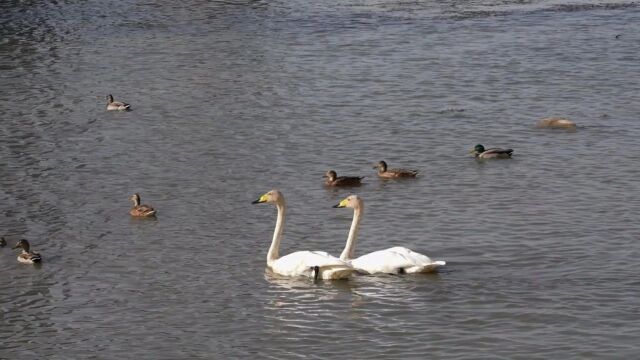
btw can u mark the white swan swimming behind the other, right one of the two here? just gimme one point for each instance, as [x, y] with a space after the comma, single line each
[395, 260]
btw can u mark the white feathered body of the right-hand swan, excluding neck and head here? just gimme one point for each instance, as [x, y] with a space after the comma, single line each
[395, 260]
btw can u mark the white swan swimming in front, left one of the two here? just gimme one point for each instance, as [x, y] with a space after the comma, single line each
[300, 263]
